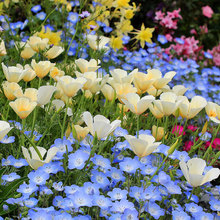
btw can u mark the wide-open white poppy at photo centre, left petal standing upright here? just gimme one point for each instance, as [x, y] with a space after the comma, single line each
[99, 125]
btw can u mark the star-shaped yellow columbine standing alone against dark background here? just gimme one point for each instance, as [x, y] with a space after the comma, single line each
[144, 35]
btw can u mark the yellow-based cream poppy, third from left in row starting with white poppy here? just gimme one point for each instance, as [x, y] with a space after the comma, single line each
[42, 68]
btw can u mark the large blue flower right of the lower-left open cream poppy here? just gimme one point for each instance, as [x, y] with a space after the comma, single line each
[77, 160]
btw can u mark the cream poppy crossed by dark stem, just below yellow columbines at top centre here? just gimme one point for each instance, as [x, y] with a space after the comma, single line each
[98, 42]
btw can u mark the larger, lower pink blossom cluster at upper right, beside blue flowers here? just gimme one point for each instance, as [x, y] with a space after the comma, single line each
[188, 49]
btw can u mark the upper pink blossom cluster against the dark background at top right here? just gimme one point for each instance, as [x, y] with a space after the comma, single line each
[170, 20]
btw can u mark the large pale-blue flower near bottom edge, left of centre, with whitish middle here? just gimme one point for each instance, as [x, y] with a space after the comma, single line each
[81, 199]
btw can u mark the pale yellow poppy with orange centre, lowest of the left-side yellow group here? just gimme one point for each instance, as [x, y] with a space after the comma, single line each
[23, 107]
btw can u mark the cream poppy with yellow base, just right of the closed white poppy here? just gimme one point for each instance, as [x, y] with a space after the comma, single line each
[71, 86]
